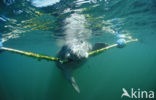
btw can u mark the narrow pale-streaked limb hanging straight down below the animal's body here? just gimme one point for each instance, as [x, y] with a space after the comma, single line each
[72, 81]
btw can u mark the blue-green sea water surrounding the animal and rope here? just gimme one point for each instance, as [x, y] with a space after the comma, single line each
[43, 26]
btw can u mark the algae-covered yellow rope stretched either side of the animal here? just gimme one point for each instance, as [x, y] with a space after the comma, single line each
[38, 56]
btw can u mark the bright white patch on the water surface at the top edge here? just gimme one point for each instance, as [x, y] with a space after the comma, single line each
[43, 3]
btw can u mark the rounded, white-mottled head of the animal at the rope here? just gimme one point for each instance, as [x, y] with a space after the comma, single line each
[75, 50]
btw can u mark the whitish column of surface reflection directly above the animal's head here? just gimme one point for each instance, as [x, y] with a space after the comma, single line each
[75, 27]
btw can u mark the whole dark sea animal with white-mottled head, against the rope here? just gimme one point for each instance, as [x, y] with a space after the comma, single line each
[77, 54]
